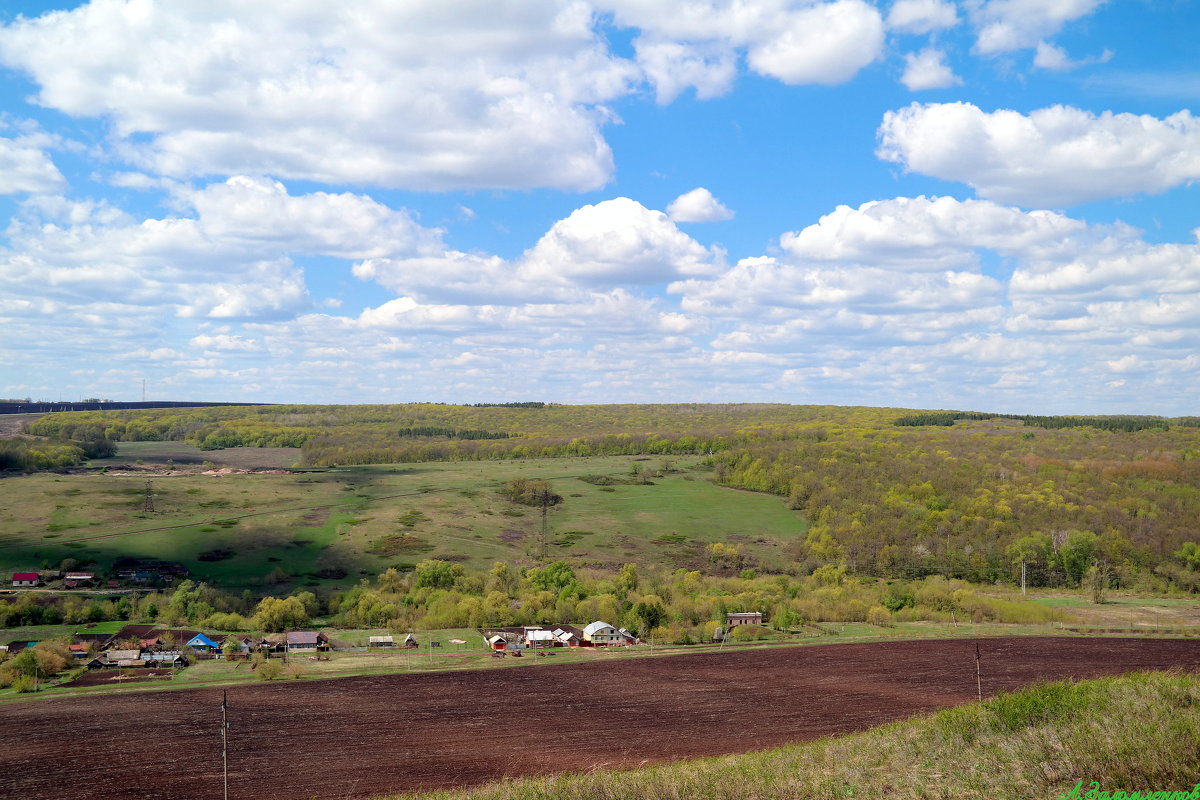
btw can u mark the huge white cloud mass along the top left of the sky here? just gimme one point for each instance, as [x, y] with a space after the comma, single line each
[416, 95]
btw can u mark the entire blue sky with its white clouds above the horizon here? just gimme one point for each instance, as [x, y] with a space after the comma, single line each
[987, 204]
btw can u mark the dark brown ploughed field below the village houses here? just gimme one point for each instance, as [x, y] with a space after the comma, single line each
[363, 737]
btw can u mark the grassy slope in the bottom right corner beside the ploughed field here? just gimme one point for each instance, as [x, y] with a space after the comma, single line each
[1136, 732]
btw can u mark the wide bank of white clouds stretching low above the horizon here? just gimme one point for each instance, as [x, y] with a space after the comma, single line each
[890, 300]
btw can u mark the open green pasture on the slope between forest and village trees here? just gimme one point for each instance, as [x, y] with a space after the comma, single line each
[337, 526]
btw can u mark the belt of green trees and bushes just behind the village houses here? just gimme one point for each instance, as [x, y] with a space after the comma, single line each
[677, 606]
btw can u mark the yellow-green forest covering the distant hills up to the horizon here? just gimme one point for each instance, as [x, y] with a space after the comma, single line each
[897, 494]
